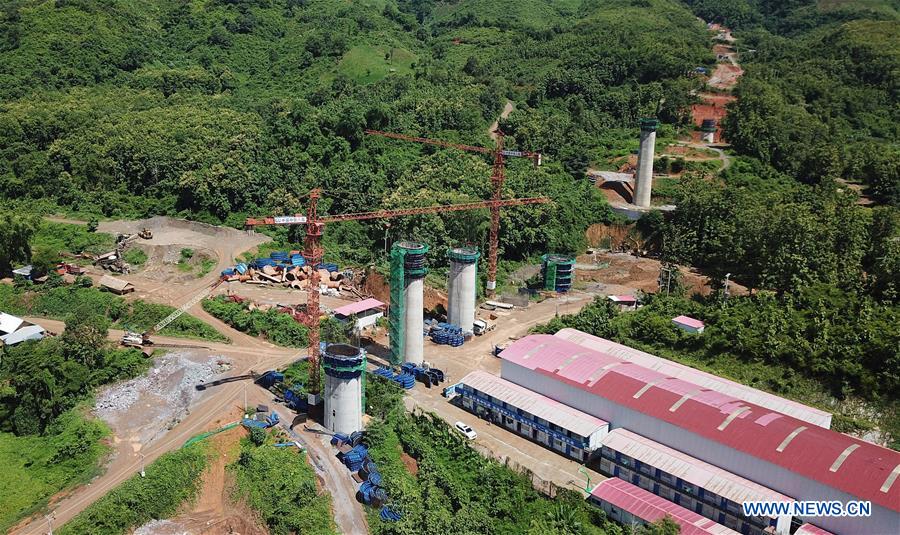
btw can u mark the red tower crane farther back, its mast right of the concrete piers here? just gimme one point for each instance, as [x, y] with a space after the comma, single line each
[498, 176]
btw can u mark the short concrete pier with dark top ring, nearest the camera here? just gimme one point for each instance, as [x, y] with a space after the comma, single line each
[345, 367]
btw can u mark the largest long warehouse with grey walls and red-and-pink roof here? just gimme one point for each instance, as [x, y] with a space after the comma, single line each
[791, 456]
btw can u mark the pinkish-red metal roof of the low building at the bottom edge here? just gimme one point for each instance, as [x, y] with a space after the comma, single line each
[650, 507]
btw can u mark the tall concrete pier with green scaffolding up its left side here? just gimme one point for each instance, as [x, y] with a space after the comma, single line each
[406, 320]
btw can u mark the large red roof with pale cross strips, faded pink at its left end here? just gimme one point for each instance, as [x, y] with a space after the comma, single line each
[860, 468]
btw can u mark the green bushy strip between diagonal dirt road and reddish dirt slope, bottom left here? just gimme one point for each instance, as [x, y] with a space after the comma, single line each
[170, 481]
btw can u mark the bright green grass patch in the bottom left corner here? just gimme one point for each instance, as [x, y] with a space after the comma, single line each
[35, 468]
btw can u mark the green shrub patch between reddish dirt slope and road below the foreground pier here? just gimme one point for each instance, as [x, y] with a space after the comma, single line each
[281, 486]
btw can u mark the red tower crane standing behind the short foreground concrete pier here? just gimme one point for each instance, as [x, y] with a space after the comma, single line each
[313, 252]
